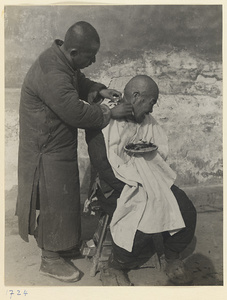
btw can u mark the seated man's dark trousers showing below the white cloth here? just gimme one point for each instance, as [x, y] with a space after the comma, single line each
[173, 245]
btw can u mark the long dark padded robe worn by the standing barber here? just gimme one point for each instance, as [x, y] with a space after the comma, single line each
[50, 113]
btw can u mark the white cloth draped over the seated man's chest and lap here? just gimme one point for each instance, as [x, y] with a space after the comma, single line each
[146, 202]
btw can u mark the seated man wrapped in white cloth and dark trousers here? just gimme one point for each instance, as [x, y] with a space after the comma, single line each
[138, 190]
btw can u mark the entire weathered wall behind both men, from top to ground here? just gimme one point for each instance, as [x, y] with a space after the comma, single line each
[189, 79]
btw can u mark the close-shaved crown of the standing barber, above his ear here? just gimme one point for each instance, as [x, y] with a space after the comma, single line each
[82, 36]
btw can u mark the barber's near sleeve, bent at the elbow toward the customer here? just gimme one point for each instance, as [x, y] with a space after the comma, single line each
[59, 94]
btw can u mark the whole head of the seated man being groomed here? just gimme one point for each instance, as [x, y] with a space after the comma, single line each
[142, 92]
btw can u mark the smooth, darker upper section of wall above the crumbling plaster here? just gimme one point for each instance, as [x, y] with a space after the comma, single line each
[126, 32]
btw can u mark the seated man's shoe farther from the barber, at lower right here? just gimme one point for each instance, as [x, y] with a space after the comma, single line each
[177, 272]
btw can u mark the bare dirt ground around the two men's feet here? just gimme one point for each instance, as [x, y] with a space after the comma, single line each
[204, 256]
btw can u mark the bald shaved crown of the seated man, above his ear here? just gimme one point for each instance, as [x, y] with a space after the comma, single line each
[141, 84]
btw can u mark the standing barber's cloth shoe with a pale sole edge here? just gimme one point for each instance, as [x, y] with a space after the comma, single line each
[59, 269]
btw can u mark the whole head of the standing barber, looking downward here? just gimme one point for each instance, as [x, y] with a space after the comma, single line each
[81, 44]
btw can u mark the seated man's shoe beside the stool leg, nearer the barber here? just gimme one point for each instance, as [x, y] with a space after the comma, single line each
[114, 277]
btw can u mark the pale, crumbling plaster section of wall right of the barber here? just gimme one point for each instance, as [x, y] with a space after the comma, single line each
[189, 109]
